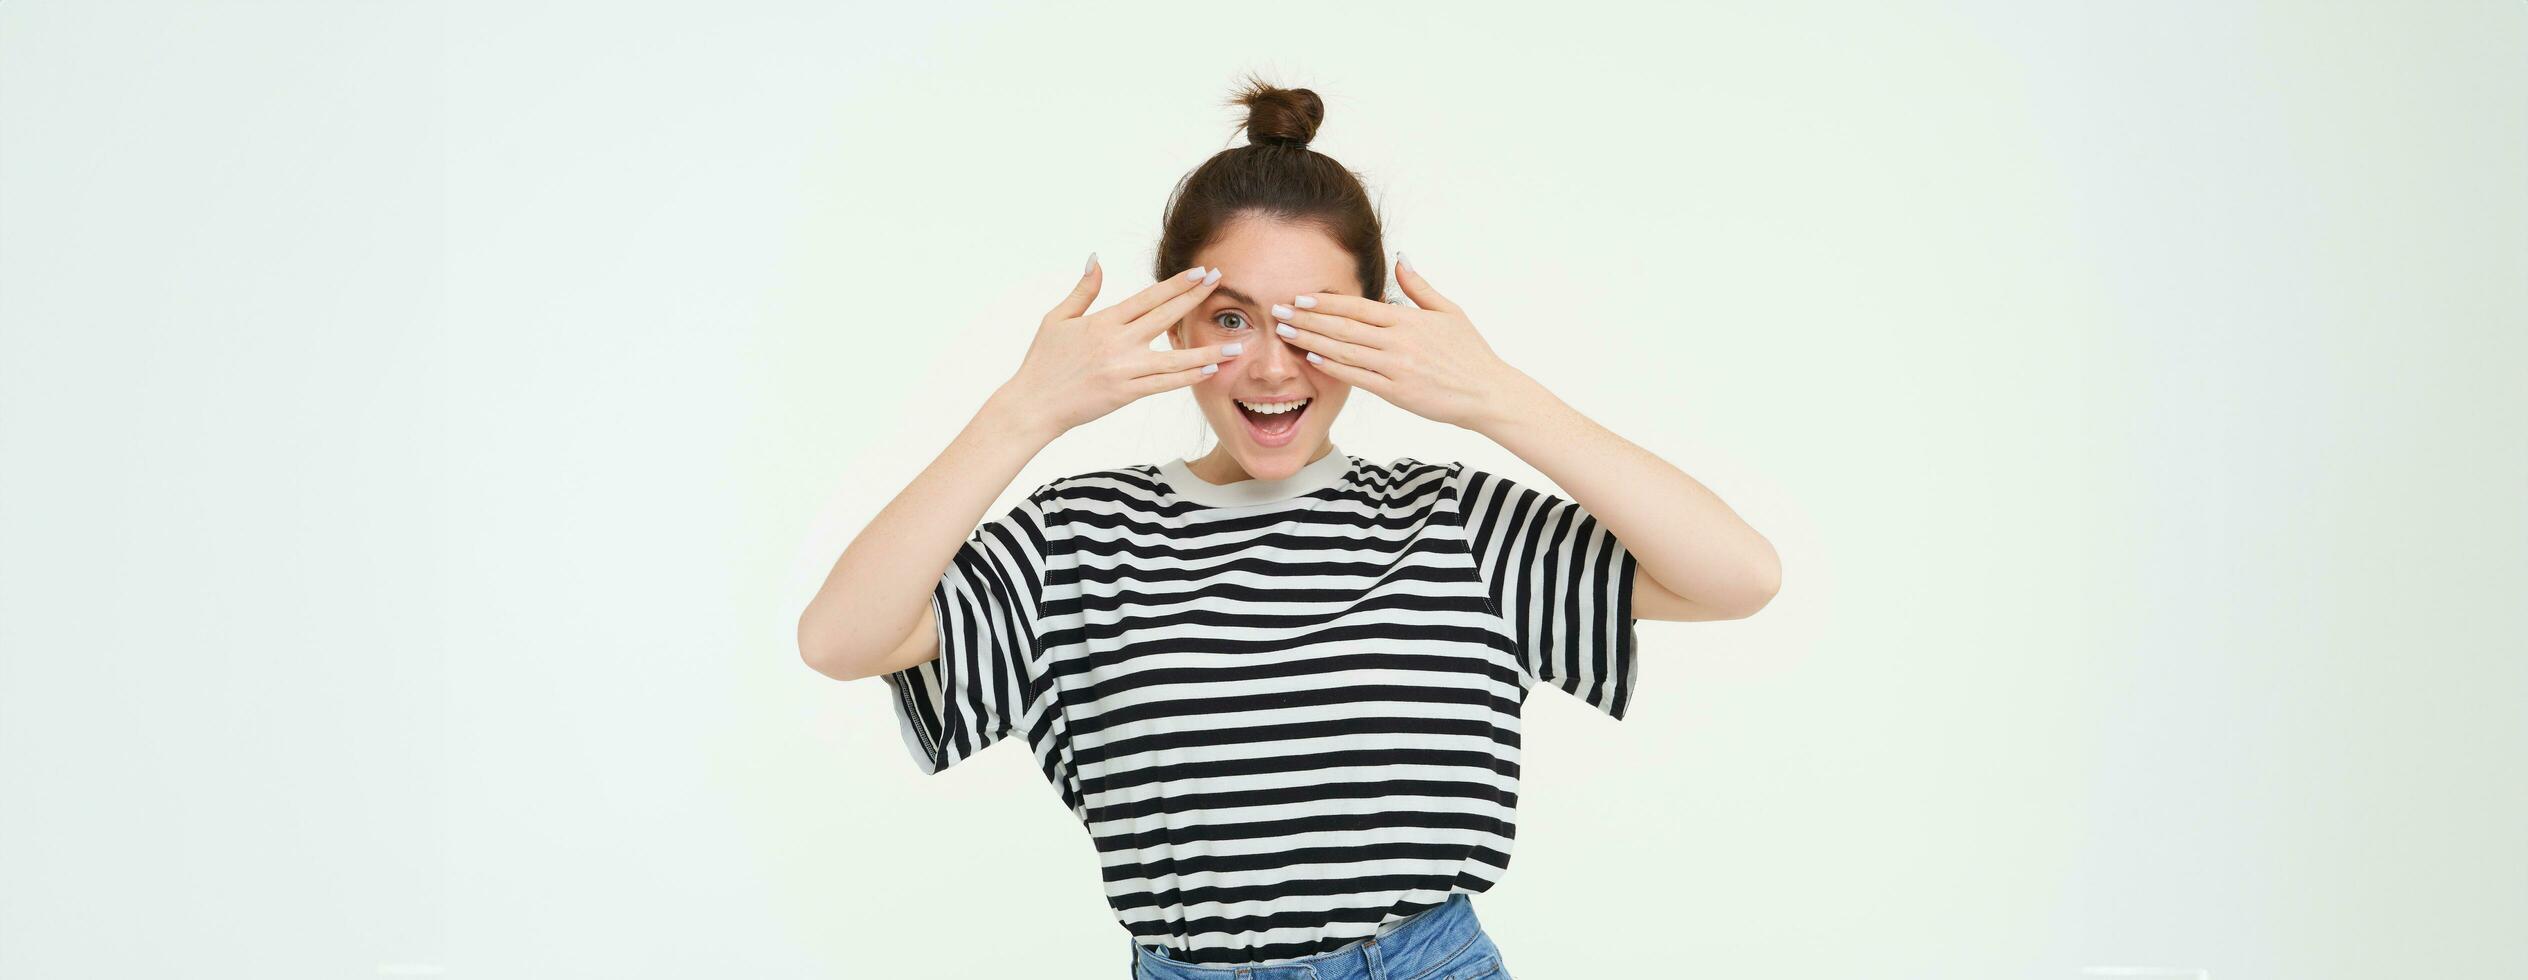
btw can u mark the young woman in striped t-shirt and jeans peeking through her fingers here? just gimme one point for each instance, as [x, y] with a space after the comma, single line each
[1280, 686]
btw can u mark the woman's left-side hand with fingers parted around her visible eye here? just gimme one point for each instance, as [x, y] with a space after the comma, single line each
[1083, 367]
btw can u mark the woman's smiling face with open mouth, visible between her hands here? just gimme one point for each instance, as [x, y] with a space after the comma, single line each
[1263, 264]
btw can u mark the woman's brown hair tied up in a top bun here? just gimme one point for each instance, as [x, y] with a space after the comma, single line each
[1275, 176]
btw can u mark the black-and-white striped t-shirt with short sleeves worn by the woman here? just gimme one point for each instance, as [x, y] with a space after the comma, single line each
[1288, 711]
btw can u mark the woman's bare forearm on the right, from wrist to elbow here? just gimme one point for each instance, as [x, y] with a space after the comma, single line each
[1682, 534]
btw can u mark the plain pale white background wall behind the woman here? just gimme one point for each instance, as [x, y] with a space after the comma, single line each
[423, 426]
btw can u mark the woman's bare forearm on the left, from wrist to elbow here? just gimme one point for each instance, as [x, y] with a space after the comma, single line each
[878, 590]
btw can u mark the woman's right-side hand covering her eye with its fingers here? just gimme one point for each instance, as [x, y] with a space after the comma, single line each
[1422, 360]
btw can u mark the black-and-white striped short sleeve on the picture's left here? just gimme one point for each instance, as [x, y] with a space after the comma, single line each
[987, 678]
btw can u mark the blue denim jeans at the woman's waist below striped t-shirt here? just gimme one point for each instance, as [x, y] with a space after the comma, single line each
[1437, 943]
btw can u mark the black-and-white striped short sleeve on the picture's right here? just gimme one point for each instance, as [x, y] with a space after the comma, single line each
[1559, 580]
